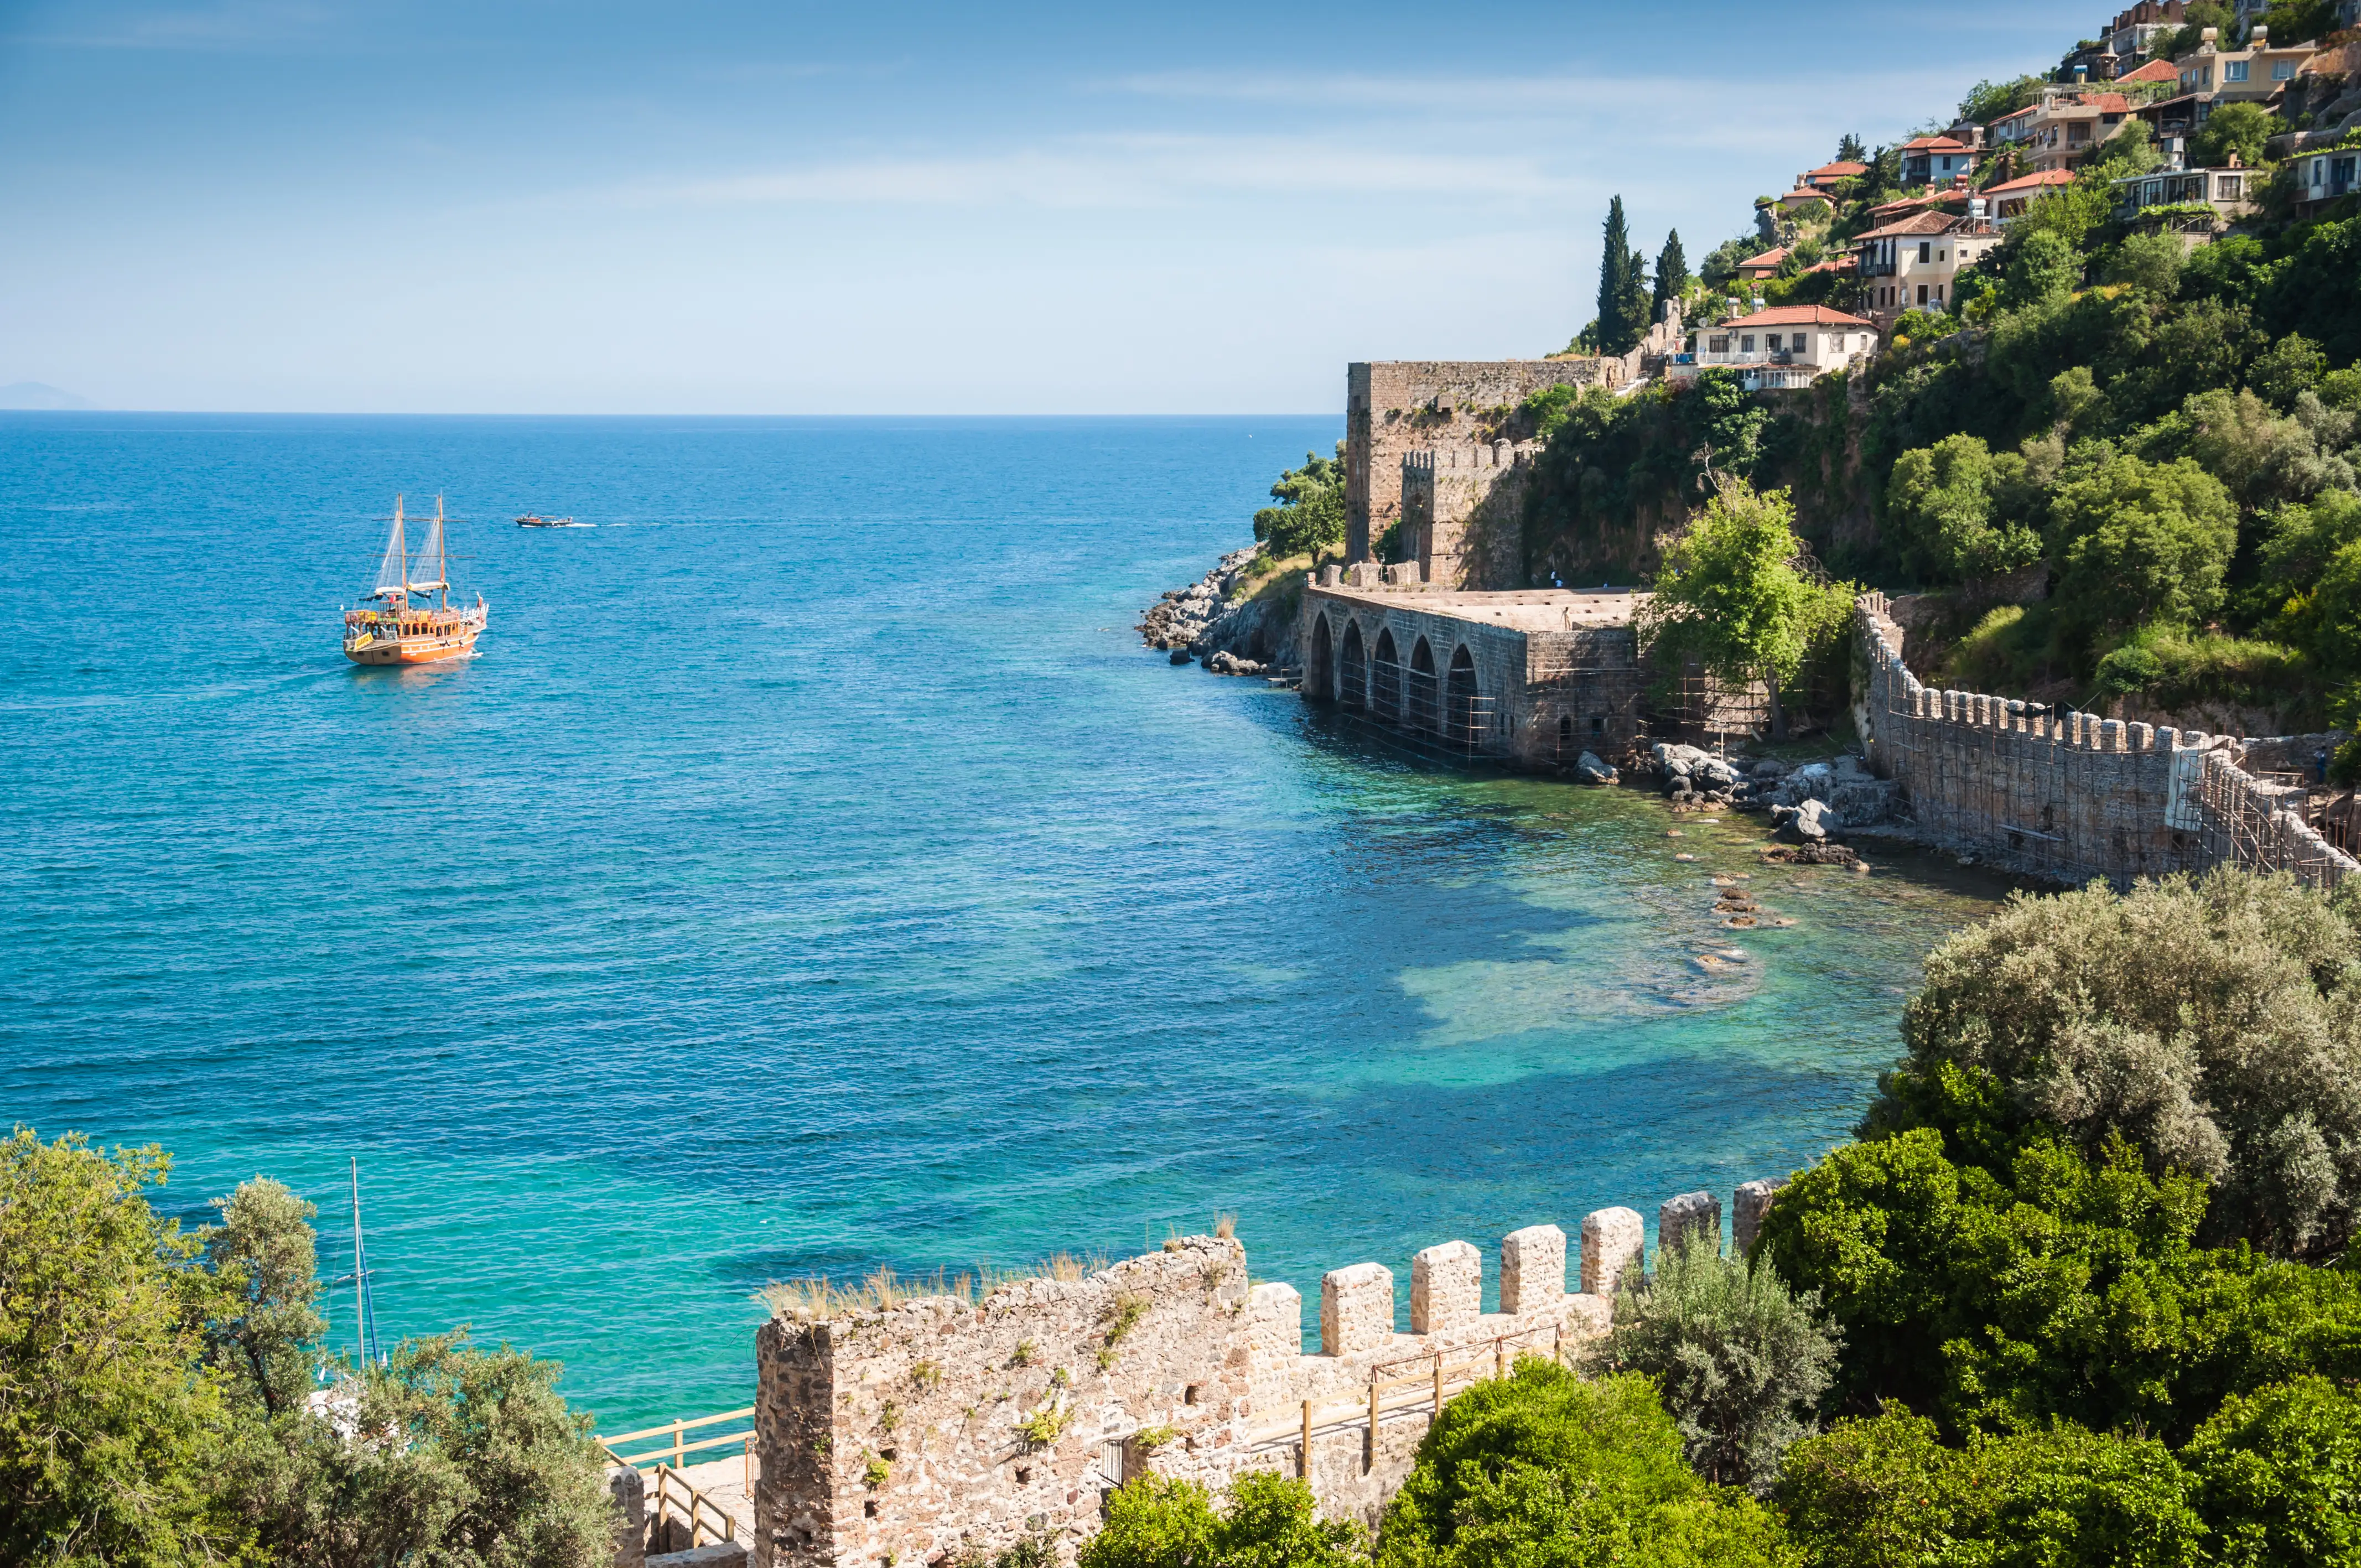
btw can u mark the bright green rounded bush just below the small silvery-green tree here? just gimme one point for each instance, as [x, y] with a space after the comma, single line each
[1545, 1468]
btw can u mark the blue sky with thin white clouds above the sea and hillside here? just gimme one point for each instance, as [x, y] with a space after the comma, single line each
[884, 207]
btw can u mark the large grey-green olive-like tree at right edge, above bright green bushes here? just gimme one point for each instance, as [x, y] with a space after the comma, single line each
[2213, 1024]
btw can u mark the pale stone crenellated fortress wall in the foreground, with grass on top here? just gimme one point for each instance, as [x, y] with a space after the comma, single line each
[941, 1425]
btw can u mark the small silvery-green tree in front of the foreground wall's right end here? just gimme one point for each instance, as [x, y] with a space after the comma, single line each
[1741, 1361]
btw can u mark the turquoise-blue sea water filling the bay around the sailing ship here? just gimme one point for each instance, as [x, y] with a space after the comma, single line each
[813, 875]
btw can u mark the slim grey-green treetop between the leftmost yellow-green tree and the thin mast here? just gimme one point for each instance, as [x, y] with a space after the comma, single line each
[266, 1328]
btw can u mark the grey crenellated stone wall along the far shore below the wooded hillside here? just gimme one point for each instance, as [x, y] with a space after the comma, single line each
[2069, 795]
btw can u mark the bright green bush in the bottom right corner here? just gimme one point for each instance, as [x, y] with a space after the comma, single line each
[2282, 1475]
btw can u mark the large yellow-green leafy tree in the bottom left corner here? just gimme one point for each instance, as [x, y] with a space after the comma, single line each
[112, 1432]
